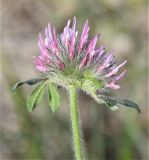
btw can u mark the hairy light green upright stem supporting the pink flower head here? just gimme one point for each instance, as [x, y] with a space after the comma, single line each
[75, 122]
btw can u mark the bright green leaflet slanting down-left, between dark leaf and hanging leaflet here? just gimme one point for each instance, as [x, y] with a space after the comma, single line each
[36, 96]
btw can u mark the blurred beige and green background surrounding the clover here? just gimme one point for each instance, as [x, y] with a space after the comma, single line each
[119, 135]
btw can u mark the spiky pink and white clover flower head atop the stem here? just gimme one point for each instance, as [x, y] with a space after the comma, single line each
[72, 53]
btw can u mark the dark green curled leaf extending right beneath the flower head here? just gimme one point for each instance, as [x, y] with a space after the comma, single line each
[112, 101]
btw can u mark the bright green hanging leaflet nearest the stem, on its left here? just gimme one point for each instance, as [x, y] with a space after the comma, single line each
[53, 97]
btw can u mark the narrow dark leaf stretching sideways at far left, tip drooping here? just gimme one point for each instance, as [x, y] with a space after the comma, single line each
[29, 82]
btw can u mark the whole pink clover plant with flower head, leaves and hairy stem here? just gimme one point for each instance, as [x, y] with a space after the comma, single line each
[72, 60]
